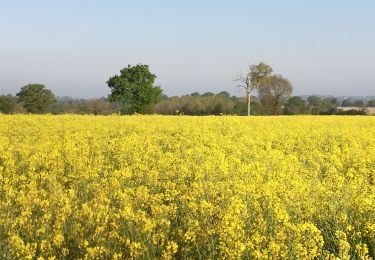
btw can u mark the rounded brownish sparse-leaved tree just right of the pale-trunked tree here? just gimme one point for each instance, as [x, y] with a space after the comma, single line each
[274, 93]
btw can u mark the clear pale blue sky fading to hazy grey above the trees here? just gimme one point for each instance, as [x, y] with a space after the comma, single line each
[73, 47]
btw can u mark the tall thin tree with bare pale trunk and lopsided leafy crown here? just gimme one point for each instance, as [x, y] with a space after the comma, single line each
[253, 79]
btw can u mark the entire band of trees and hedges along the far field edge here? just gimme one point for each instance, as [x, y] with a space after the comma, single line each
[133, 91]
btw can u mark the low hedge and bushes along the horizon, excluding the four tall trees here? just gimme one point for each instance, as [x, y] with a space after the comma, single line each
[195, 104]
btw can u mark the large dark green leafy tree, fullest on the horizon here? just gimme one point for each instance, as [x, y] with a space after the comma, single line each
[134, 87]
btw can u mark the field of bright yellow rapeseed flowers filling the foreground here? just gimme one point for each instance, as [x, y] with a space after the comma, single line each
[187, 187]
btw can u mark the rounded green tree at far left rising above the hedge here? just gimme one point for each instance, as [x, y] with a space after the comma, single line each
[35, 98]
